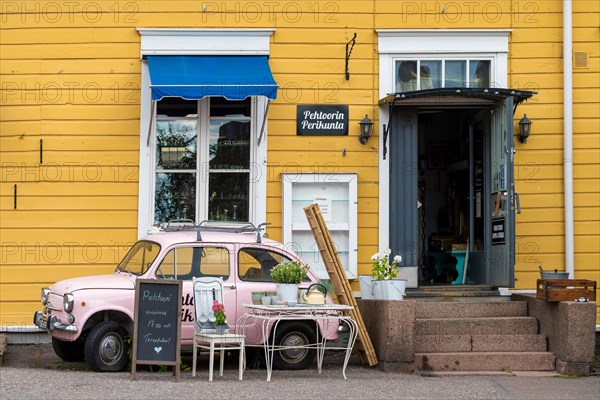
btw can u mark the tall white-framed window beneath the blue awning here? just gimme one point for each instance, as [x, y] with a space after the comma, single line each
[201, 159]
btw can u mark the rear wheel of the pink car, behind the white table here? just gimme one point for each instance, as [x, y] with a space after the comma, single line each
[294, 334]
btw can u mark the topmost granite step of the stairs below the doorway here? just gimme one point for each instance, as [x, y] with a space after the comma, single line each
[471, 309]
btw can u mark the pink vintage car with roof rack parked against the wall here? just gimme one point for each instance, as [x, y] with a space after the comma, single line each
[90, 317]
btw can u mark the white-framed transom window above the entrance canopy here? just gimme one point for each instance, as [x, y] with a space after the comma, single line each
[419, 59]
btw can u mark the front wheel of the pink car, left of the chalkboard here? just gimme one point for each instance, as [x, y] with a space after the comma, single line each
[106, 349]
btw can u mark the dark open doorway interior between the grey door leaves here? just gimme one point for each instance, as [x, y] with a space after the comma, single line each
[450, 194]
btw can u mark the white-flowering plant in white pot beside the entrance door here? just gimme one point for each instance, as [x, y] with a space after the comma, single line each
[385, 285]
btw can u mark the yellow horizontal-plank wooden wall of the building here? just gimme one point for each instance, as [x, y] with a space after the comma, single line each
[70, 76]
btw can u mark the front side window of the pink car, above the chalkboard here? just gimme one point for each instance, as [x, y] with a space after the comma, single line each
[184, 263]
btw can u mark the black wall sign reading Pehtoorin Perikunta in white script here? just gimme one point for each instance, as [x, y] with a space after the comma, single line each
[320, 120]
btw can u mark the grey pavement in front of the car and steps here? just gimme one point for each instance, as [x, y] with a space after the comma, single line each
[34, 372]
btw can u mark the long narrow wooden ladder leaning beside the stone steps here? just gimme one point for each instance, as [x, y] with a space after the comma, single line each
[340, 282]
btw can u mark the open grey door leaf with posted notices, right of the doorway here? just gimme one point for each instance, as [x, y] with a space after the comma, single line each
[491, 192]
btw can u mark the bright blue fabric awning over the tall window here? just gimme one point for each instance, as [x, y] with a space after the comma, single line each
[195, 77]
